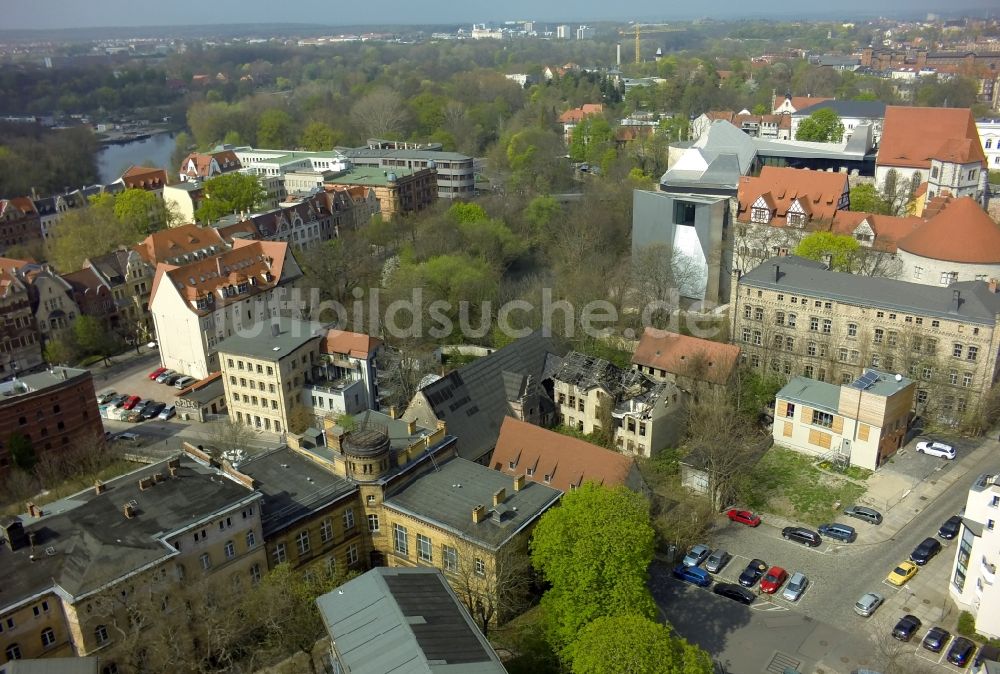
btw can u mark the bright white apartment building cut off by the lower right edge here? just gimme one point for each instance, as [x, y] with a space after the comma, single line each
[973, 582]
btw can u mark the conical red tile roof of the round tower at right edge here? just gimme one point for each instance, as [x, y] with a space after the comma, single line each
[961, 232]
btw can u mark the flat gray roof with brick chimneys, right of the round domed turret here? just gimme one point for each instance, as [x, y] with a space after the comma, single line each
[447, 496]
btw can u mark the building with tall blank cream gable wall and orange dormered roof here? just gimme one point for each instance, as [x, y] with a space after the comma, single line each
[197, 304]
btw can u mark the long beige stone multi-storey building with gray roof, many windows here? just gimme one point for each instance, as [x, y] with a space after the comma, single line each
[794, 317]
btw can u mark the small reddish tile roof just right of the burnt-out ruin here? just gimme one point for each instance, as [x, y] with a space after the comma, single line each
[686, 356]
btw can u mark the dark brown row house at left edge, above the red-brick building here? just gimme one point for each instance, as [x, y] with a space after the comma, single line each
[20, 345]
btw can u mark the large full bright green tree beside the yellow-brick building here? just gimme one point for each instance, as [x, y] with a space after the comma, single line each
[594, 550]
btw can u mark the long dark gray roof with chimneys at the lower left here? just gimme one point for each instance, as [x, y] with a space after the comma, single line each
[94, 543]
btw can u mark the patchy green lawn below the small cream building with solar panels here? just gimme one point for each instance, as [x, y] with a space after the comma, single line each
[787, 483]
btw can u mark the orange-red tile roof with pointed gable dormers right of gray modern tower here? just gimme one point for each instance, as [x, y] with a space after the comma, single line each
[818, 193]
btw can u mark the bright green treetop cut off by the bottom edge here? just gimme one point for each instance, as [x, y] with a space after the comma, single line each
[631, 644]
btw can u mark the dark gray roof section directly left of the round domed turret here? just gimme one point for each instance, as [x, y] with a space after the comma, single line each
[293, 487]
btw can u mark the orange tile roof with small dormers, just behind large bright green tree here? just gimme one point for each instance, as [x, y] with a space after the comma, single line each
[567, 461]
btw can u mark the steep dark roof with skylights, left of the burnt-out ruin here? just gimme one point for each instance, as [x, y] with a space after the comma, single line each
[472, 400]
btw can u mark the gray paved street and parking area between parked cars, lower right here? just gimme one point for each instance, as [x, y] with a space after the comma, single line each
[822, 626]
